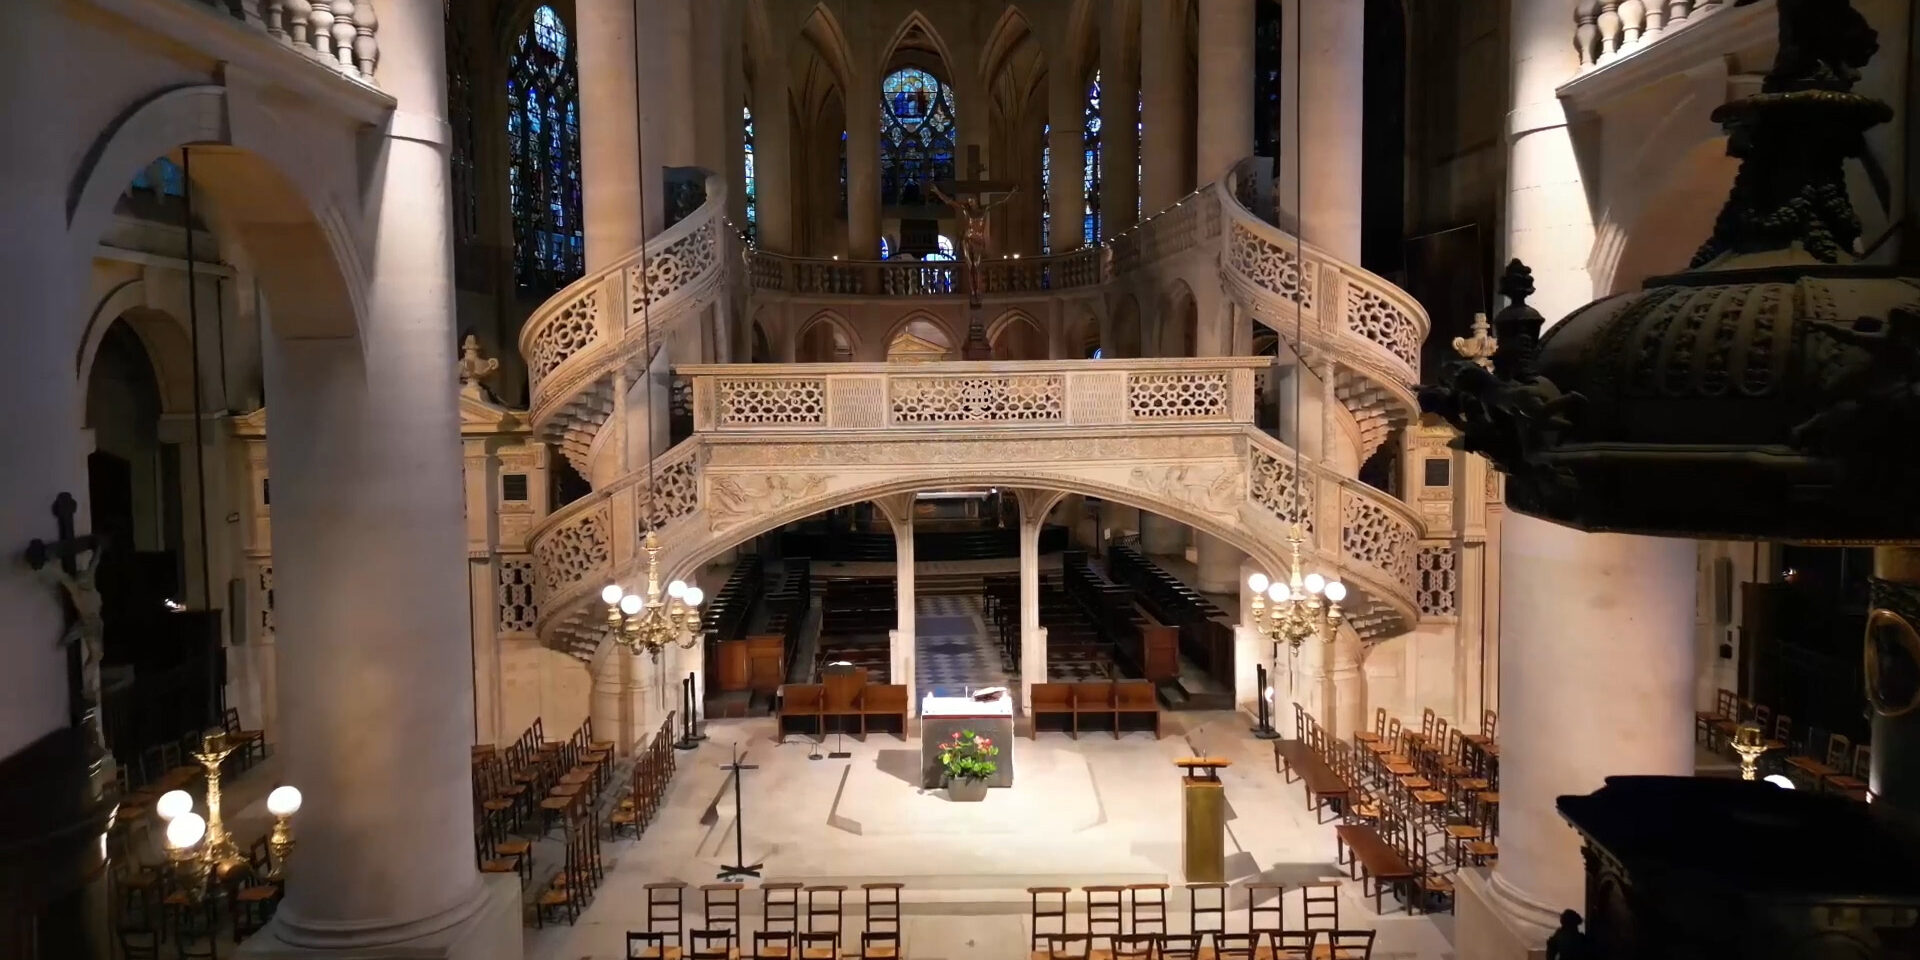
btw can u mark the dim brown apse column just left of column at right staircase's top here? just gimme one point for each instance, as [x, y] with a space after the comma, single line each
[1164, 112]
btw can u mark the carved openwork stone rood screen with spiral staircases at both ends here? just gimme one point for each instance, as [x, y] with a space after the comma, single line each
[1176, 437]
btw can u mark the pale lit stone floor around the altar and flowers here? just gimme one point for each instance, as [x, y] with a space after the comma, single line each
[1092, 811]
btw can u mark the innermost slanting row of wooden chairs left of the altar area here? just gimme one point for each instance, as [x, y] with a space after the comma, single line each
[585, 867]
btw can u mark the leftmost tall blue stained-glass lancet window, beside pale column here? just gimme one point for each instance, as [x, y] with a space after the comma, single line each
[544, 149]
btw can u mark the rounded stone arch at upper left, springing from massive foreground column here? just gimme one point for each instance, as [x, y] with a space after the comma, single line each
[258, 185]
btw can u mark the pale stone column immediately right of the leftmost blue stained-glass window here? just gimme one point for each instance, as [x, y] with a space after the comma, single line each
[610, 132]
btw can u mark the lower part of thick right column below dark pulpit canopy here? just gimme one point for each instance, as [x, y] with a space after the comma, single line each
[1596, 673]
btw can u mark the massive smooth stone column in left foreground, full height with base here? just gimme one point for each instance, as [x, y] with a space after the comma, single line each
[370, 575]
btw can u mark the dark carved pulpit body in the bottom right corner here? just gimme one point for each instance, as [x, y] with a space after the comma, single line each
[1704, 867]
